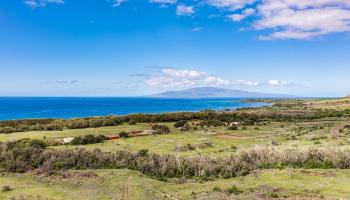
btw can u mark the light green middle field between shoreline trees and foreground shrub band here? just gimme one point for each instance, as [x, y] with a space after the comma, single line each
[223, 142]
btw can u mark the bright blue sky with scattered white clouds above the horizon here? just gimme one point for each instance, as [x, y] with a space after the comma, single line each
[141, 47]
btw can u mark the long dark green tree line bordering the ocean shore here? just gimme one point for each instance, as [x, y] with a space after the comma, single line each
[212, 118]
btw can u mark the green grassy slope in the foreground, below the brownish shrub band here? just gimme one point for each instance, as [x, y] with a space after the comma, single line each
[127, 184]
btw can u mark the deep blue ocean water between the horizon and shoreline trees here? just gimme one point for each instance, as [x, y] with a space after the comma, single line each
[70, 107]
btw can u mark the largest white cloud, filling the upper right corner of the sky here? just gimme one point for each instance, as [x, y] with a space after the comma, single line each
[300, 19]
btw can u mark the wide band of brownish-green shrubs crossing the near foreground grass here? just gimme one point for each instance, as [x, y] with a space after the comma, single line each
[24, 157]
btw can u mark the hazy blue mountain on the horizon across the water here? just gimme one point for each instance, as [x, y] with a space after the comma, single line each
[206, 92]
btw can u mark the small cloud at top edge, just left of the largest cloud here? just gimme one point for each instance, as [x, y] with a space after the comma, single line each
[229, 4]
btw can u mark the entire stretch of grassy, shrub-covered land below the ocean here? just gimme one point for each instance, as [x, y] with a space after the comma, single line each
[297, 149]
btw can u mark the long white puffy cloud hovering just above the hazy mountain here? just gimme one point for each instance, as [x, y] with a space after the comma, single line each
[172, 78]
